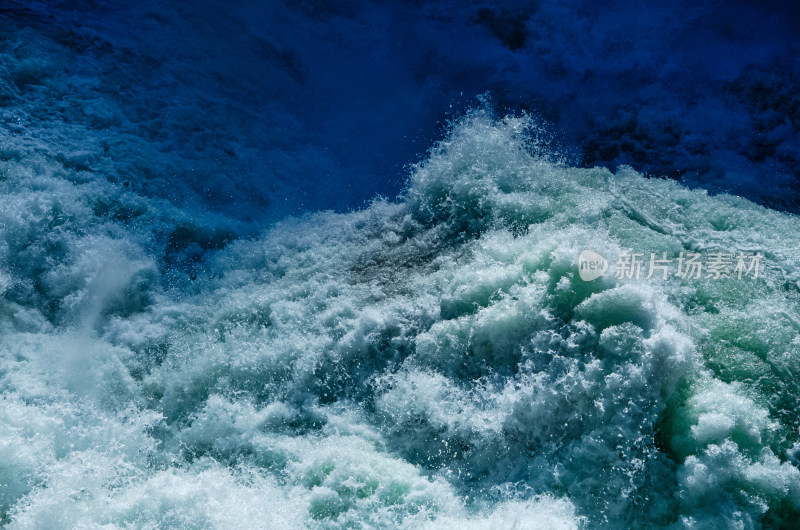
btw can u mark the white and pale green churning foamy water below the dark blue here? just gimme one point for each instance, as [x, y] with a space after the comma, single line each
[430, 361]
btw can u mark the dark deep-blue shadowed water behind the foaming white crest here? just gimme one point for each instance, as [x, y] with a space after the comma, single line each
[306, 105]
